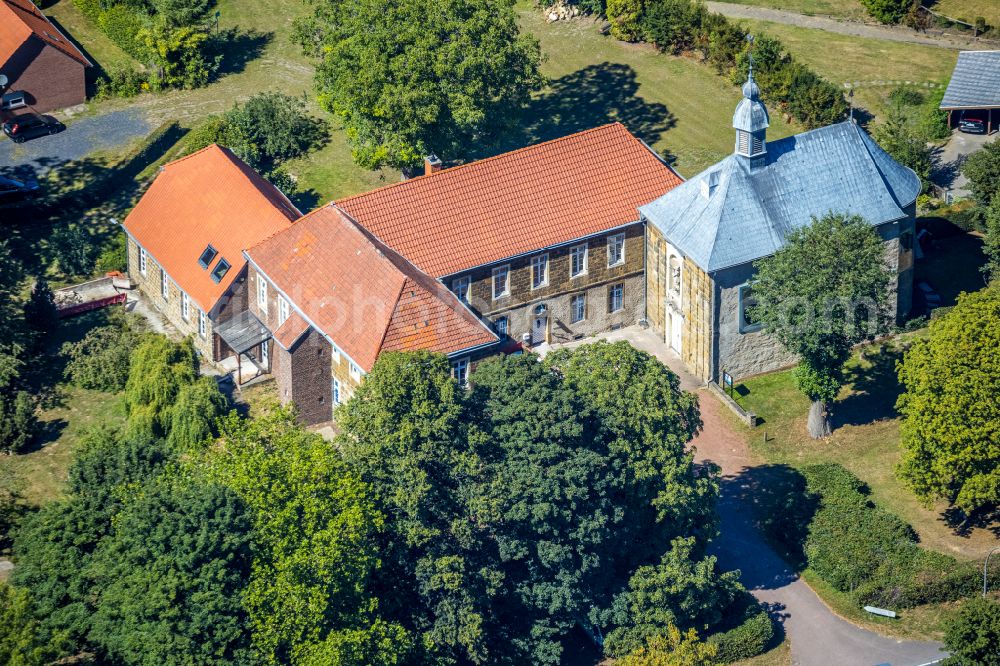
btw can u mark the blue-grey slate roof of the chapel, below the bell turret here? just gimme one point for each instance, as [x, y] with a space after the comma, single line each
[748, 215]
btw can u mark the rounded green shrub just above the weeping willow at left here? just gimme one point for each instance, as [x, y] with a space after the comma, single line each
[100, 361]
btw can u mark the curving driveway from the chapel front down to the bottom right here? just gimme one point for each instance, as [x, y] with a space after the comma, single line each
[817, 636]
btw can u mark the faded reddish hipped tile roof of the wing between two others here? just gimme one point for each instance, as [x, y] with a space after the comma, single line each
[360, 293]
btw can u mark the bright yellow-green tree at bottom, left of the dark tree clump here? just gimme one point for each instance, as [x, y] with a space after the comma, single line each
[308, 599]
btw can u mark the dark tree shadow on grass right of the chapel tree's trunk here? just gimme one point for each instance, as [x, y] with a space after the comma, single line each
[876, 389]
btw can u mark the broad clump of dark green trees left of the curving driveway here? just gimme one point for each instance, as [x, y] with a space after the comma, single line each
[506, 506]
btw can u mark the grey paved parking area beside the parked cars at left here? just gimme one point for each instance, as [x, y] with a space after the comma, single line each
[80, 138]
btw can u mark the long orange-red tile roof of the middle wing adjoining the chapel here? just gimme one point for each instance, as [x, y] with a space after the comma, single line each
[521, 201]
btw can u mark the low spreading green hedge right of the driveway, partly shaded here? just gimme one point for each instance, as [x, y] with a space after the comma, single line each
[824, 518]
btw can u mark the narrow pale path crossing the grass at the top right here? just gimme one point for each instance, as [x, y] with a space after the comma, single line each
[872, 31]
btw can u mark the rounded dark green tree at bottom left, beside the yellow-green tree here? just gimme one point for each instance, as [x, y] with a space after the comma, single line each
[169, 579]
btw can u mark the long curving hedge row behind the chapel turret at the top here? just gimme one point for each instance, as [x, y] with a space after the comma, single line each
[674, 26]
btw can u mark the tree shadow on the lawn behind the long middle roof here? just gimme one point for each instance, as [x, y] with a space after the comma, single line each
[589, 97]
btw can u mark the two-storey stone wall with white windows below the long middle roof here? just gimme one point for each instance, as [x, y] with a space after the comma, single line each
[519, 305]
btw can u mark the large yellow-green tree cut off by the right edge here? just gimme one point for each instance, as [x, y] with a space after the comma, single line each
[951, 405]
